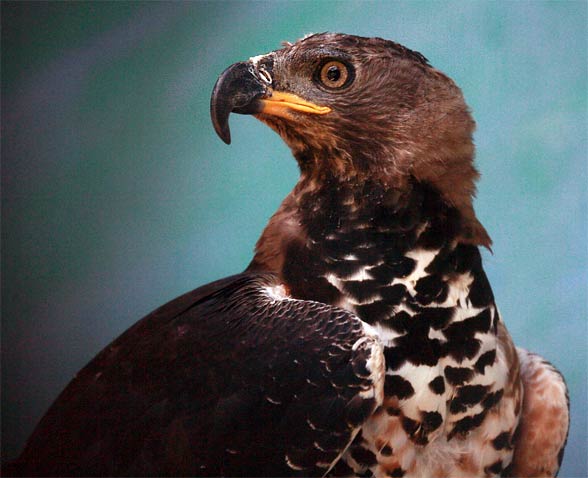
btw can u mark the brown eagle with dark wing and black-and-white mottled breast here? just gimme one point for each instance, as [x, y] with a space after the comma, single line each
[363, 338]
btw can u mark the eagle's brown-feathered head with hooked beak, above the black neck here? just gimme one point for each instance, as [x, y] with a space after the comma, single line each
[356, 109]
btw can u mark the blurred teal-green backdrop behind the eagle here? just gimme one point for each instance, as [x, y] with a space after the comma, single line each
[117, 195]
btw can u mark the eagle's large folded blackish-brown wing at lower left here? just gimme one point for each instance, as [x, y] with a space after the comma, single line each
[229, 379]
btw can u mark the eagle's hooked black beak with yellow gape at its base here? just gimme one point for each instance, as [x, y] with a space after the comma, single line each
[239, 89]
